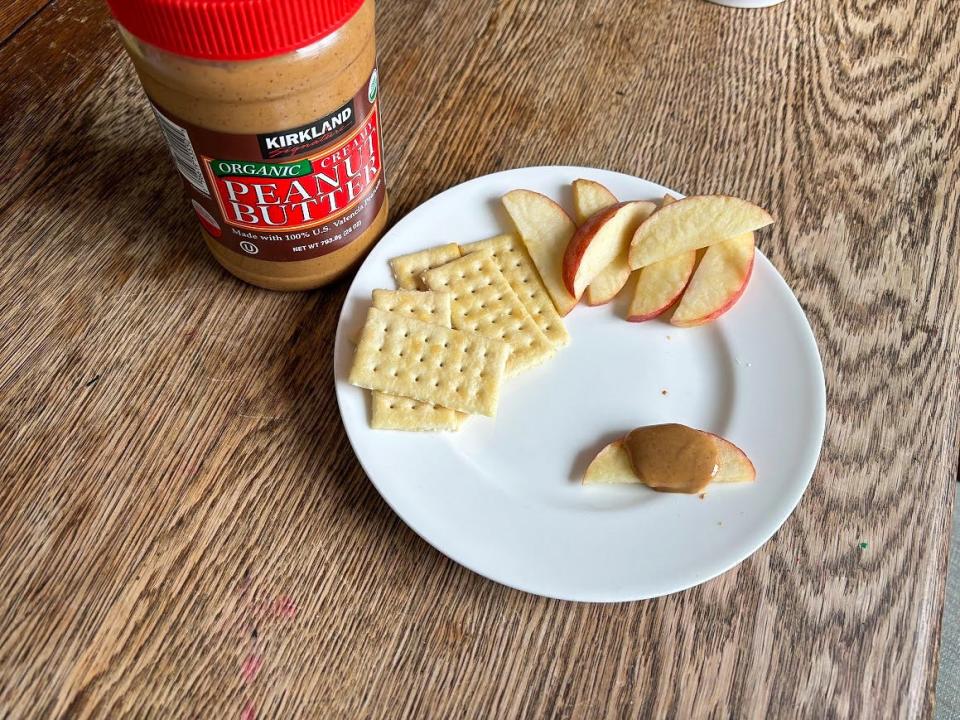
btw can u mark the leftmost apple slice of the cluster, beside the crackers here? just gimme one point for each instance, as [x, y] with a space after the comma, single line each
[545, 229]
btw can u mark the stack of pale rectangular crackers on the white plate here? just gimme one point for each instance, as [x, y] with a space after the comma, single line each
[464, 317]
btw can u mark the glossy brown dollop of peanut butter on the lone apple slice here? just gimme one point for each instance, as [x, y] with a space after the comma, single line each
[673, 457]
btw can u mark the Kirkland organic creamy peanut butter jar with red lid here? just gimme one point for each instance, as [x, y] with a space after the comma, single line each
[270, 111]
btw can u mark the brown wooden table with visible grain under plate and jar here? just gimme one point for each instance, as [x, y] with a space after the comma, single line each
[184, 531]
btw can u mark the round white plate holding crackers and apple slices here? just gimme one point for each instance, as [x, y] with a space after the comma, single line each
[502, 496]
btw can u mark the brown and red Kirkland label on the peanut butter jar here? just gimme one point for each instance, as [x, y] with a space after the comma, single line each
[293, 194]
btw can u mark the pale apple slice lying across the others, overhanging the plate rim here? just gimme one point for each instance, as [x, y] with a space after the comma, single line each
[693, 223]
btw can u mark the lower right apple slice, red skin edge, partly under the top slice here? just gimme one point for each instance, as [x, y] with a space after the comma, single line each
[718, 283]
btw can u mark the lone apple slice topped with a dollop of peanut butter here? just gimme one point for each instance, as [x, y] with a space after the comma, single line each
[670, 458]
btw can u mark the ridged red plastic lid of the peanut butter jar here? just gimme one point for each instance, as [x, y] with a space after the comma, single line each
[232, 29]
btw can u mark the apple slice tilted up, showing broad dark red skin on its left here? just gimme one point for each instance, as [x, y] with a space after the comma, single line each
[599, 241]
